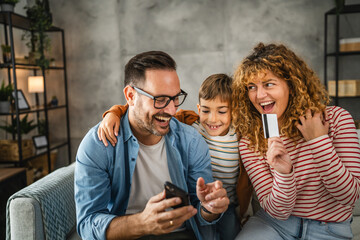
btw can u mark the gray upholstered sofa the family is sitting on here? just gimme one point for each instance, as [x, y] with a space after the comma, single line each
[46, 209]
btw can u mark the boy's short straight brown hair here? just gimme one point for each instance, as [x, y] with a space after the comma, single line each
[216, 85]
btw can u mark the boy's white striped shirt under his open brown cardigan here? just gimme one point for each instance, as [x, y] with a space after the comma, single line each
[224, 154]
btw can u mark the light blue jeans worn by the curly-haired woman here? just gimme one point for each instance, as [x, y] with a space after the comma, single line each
[262, 226]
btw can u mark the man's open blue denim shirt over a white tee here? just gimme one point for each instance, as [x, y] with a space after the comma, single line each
[103, 175]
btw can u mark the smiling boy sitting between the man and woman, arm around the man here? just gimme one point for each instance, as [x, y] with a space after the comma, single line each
[214, 124]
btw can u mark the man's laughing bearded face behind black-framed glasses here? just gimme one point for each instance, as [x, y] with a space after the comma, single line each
[149, 120]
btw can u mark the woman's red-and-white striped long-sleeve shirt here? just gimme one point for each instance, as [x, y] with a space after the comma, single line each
[325, 181]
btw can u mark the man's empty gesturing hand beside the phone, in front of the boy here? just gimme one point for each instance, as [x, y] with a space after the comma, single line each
[213, 197]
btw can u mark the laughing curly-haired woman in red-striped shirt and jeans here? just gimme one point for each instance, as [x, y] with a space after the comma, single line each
[308, 179]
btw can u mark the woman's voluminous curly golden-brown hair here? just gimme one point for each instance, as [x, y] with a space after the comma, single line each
[306, 92]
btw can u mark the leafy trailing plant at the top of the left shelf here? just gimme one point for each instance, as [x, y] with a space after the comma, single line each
[37, 40]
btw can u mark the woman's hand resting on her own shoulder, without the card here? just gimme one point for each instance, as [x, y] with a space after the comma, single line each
[313, 126]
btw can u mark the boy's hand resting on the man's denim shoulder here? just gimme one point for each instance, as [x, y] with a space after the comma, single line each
[108, 129]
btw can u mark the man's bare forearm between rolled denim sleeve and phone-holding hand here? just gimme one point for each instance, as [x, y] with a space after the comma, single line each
[125, 227]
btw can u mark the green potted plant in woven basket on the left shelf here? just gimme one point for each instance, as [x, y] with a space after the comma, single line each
[10, 148]
